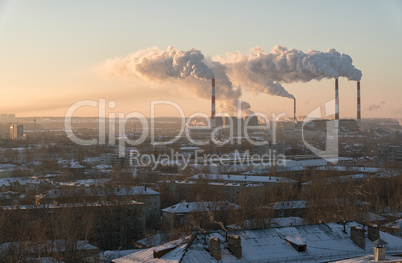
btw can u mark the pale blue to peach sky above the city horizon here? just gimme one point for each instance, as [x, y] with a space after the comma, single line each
[50, 52]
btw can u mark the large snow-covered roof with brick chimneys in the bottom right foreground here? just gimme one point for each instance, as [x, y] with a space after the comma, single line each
[323, 242]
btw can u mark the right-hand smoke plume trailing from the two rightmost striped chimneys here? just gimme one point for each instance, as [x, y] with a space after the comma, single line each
[261, 71]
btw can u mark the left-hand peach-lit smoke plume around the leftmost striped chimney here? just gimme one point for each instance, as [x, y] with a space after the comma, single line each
[154, 64]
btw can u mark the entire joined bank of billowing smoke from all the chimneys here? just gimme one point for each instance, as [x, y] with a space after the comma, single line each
[259, 71]
